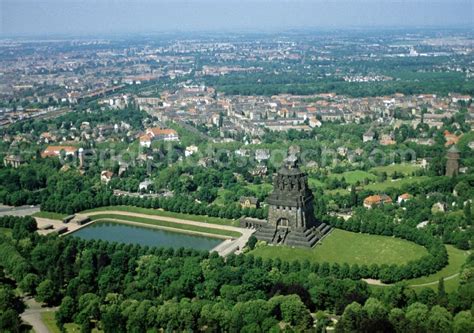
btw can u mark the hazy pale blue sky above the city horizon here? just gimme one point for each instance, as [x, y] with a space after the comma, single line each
[63, 17]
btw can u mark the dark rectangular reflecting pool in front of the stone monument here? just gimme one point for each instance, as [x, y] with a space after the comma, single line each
[133, 234]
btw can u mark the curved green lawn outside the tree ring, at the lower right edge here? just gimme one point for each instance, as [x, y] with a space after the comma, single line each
[456, 260]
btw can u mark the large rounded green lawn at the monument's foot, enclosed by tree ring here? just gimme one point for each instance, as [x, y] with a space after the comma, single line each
[354, 248]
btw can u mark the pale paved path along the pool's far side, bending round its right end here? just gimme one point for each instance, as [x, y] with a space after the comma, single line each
[224, 249]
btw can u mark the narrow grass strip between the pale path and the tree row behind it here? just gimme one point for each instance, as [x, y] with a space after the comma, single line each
[159, 212]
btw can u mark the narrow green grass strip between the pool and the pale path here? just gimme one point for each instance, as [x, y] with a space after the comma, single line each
[168, 224]
